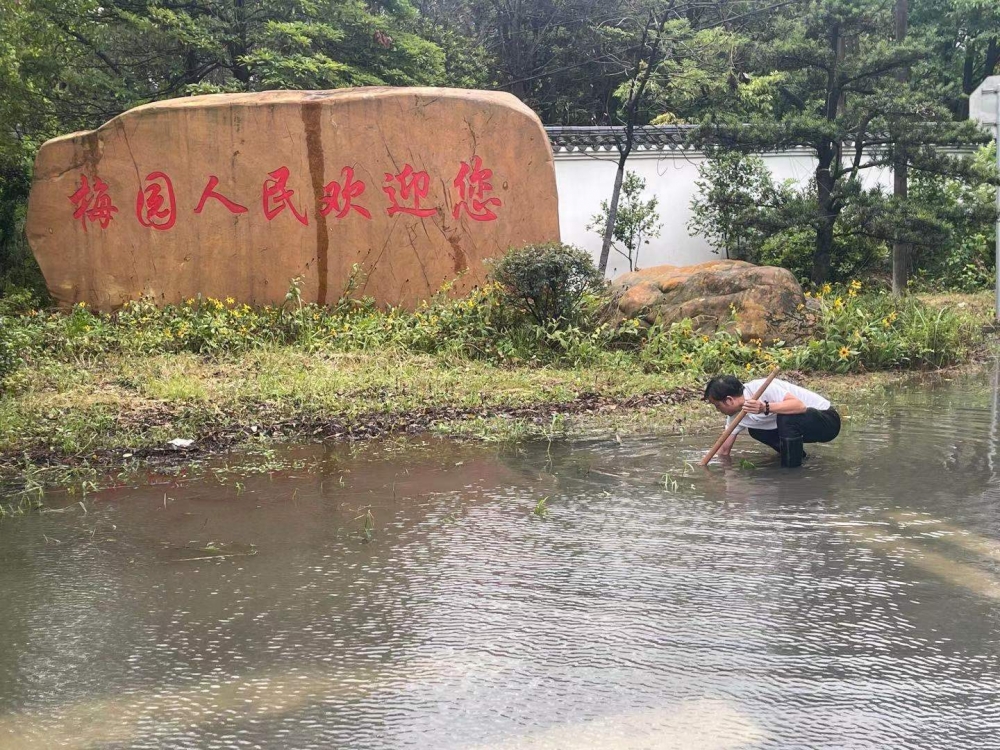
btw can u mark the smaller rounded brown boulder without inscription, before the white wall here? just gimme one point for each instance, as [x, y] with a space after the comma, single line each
[760, 302]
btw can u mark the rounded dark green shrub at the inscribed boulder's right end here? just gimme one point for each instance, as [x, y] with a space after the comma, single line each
[550, 283]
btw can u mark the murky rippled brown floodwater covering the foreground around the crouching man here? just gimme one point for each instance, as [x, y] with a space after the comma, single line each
[574, 595]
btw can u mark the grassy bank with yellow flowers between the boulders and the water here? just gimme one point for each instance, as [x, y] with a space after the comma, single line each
[82, 390]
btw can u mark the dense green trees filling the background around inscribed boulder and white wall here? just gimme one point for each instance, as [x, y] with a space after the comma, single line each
[834, 76]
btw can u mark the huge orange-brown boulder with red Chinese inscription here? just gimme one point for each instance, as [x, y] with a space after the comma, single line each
[235, 195]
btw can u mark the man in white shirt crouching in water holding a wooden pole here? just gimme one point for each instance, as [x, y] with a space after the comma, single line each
[785, 416]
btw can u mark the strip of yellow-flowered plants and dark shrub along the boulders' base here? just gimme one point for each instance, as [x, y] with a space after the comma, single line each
[567, 325]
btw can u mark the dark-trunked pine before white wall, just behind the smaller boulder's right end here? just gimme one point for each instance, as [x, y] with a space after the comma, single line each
[840, 97]
